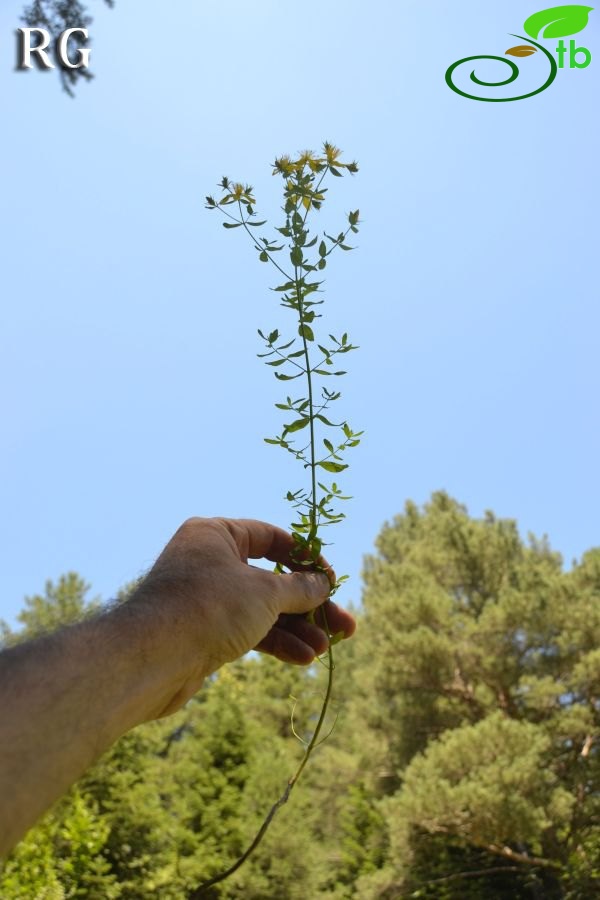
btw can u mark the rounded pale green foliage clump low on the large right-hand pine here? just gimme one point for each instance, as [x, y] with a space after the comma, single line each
[453, 786]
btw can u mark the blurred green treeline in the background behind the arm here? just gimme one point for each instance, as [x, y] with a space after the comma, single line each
[464, 762]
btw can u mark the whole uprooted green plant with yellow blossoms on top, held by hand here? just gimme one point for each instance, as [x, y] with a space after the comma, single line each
[301, 357]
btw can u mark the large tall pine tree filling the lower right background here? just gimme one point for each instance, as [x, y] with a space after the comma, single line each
[486, 712]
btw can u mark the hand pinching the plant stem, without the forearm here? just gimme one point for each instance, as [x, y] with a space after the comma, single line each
[216, 606]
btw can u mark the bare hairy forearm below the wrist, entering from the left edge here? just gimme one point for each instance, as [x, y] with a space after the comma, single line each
[66, 697]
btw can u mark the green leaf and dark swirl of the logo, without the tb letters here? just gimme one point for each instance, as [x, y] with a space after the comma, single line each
[556, 22]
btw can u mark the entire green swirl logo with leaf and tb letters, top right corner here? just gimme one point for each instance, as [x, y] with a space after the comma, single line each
[557, 22]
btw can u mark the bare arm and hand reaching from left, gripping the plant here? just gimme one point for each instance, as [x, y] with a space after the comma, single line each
[66, 697]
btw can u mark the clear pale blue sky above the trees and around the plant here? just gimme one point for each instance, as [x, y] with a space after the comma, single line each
[132, 397]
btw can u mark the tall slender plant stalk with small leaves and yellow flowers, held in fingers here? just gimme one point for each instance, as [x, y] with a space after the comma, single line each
[296, 295]
